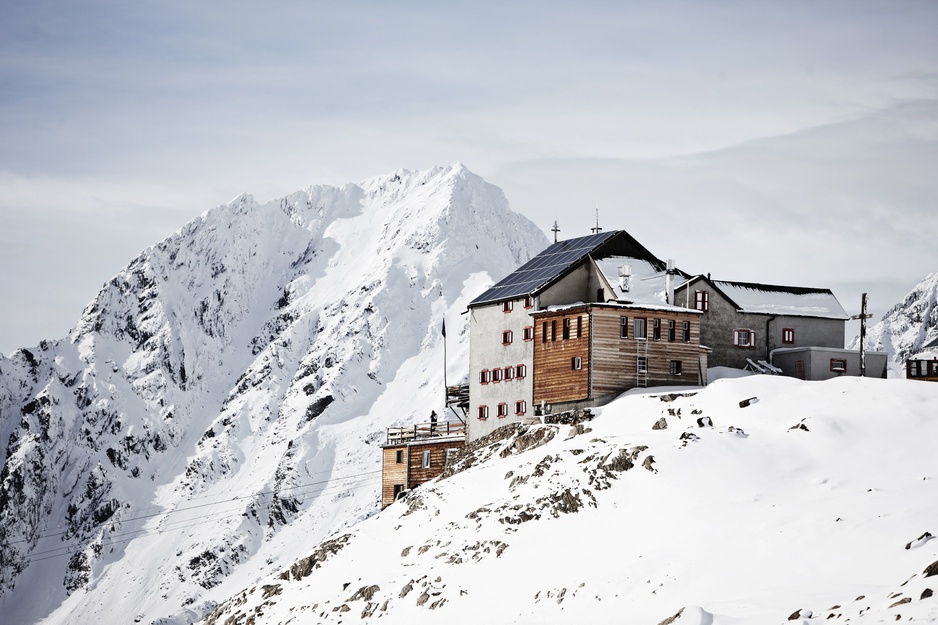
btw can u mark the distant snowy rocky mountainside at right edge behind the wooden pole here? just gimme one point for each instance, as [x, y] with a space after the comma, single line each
[903, 330]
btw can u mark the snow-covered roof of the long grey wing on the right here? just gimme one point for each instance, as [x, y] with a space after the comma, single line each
[782, 300]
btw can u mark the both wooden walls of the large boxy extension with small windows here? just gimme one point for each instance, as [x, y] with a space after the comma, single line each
[618, 347]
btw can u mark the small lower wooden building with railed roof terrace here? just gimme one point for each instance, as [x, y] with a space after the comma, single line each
[409, 461]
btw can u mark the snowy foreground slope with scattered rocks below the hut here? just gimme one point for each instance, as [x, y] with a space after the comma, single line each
[814, 502]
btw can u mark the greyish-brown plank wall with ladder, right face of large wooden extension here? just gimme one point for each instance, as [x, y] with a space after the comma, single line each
[615, 360]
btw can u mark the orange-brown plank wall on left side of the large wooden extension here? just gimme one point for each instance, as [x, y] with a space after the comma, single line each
[555, 380]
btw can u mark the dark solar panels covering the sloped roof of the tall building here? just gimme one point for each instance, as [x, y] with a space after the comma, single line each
[541, 269]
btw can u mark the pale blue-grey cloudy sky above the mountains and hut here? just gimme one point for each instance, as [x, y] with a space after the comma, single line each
[787, 143]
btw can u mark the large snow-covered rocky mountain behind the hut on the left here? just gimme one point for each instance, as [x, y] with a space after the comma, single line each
[218, 406]
